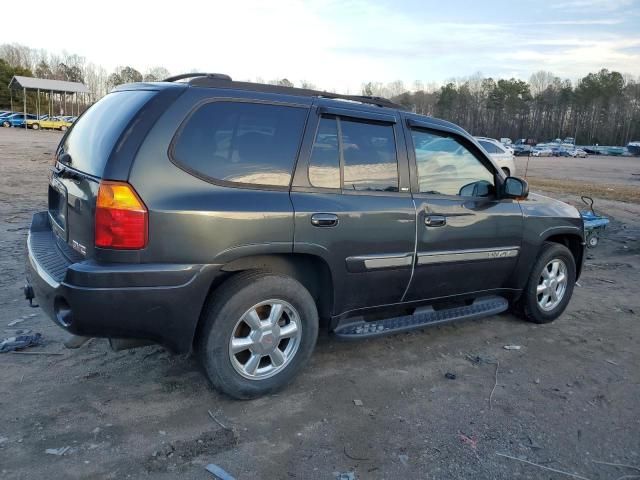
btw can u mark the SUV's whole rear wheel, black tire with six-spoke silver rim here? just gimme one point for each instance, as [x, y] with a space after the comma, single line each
[260, 330]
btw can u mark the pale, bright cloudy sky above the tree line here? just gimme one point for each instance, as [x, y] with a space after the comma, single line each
[341, 44]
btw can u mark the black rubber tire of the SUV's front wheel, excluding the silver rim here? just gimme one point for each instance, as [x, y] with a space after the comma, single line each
[528, 306]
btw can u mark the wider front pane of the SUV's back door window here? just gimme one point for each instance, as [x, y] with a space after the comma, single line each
[369, 151]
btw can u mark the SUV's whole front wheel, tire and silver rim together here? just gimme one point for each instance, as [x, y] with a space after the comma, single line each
[550, 284]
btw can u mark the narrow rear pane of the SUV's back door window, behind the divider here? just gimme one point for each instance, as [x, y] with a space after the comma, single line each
[324, 166]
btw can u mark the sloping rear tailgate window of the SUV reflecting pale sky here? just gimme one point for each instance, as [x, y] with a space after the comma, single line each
[95, 133]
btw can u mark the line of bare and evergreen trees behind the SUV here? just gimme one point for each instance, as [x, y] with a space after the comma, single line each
[602, 107]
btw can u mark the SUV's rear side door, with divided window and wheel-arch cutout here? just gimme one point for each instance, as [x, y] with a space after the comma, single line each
[352, 204]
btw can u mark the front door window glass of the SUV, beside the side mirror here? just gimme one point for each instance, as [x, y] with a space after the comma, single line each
[445, 166]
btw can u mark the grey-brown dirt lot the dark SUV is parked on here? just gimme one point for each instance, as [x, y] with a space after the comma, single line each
[568, 399]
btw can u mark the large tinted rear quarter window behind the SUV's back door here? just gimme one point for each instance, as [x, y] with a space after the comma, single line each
[242, 142]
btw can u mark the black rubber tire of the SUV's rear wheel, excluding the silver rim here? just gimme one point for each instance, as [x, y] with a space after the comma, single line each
[226, 307]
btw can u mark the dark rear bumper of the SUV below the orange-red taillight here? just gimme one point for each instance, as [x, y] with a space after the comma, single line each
[158, 302]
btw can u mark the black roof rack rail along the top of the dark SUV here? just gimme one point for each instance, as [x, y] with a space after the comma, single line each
[224, 81]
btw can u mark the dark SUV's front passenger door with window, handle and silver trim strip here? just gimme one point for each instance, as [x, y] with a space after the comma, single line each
[468, 238]
